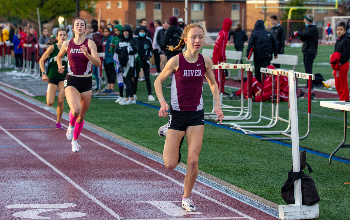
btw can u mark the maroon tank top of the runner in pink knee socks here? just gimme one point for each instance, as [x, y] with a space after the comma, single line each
[78, 63]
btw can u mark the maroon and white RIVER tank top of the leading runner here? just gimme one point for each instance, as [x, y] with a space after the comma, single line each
[187, 85]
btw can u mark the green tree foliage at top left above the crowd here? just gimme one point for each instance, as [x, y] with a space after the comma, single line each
[49, 9]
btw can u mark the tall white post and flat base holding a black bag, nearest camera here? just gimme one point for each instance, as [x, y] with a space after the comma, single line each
[297, 210]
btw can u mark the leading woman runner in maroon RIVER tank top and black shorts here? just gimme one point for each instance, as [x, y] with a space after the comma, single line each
[186, 114]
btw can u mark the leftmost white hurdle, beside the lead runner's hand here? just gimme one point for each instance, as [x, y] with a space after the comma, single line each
[244, 111]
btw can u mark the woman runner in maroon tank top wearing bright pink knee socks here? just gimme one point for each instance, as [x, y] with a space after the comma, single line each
[81, 53]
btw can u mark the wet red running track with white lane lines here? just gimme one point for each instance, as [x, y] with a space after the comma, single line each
[42, 179]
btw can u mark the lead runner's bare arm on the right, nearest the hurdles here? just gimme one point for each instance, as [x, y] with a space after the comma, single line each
[213, 87]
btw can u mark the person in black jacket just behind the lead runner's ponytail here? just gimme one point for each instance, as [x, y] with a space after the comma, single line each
[172, 37]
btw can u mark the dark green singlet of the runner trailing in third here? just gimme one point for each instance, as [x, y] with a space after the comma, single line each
[53, 68]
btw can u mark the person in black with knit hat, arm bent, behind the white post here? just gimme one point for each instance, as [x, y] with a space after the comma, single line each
[309, 49]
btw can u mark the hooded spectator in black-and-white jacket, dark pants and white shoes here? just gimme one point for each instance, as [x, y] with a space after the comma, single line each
[126, 49]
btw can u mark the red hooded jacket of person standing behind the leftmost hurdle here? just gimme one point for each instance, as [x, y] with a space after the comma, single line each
[221, 41]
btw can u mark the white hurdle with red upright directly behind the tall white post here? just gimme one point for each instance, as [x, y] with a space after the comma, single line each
[310, 77]
